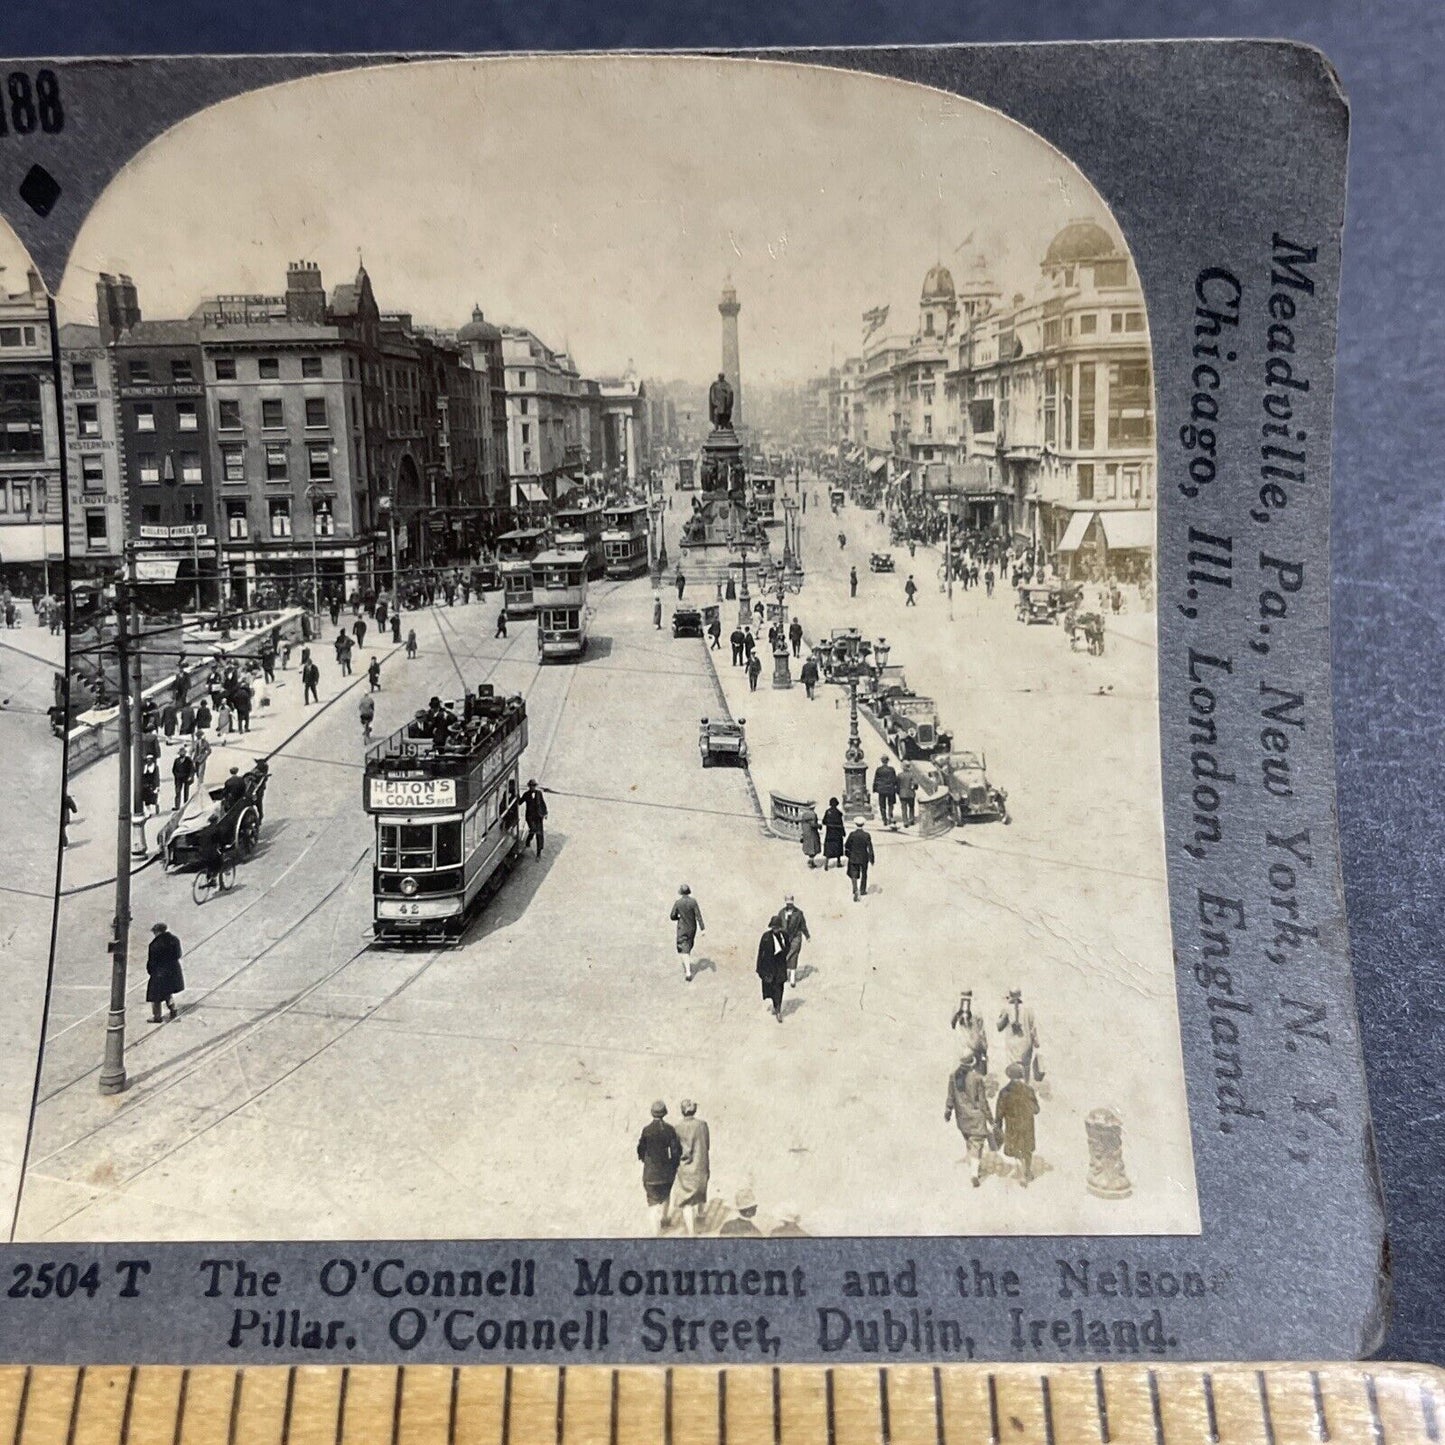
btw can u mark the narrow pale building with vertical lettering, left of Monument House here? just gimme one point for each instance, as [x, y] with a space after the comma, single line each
[98, 517]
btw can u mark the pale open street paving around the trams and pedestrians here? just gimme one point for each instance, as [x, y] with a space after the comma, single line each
[316, 1087]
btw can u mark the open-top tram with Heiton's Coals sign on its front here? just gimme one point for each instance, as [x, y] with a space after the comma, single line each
[444, 794]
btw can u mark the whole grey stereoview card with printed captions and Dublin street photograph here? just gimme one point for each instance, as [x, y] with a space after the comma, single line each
[801, 1067]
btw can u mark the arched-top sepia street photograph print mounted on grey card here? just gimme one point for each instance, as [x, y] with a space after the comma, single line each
[639, 580]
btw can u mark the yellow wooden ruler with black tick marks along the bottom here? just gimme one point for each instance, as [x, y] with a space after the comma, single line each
[791, 1405]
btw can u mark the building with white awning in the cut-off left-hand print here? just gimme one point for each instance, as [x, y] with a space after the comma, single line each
[33, 537]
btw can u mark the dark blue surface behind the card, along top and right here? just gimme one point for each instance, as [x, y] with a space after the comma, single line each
[1391, 415]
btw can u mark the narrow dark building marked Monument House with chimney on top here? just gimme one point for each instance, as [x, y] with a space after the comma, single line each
[165, 450]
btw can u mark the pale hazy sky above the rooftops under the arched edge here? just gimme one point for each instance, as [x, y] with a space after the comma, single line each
[600, 202]
